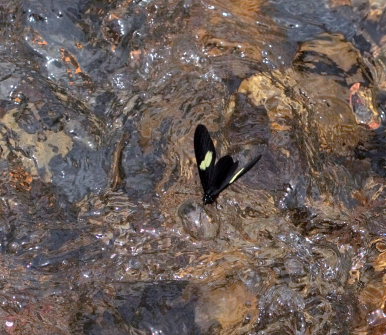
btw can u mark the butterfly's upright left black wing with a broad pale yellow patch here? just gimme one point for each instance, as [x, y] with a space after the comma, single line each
[205, 156]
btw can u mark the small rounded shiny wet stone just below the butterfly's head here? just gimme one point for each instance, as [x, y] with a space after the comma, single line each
[196, 221]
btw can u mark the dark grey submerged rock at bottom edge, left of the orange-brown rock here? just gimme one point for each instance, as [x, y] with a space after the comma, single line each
[160, 307]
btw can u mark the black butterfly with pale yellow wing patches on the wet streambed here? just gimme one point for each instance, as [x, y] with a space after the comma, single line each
[215, 177]
